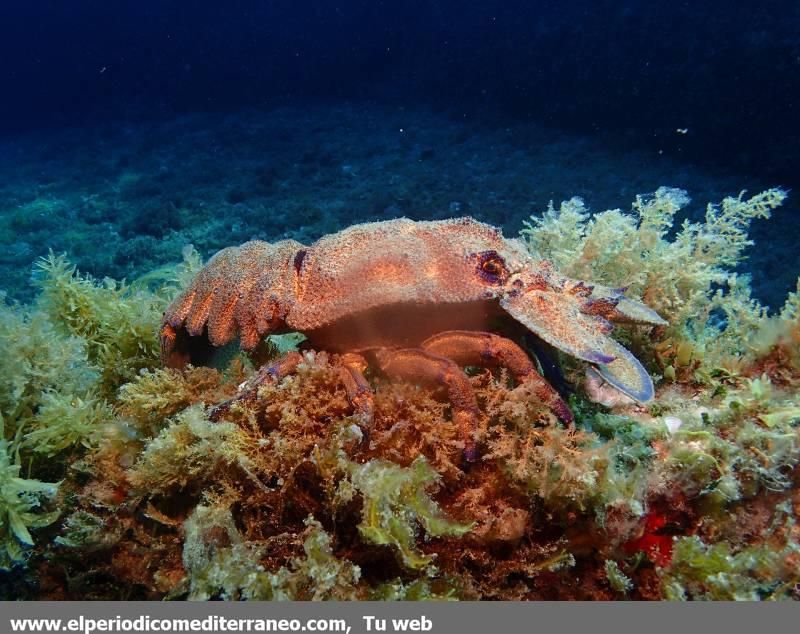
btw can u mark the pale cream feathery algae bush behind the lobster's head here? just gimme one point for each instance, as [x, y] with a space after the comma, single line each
[684, 278]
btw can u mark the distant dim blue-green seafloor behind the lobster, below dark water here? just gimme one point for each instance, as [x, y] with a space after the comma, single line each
[123, 199]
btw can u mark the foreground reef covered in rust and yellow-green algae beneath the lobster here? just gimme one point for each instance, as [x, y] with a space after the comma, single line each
[115, 482]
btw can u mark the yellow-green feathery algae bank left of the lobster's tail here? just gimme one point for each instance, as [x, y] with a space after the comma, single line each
[62, 359]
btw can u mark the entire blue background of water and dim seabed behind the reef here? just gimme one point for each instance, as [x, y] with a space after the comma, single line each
[233, 112]
